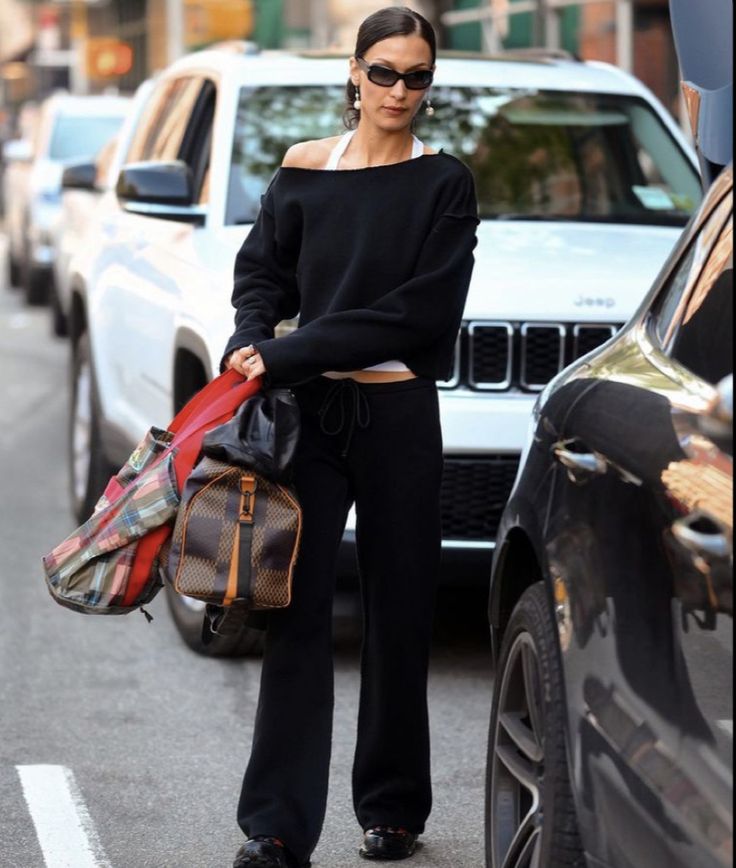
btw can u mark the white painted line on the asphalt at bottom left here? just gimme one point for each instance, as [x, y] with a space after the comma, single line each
[63, 824]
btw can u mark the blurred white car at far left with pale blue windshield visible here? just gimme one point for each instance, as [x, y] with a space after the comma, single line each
[69, 128]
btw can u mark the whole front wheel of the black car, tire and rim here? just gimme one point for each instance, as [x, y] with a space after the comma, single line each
[530, 813]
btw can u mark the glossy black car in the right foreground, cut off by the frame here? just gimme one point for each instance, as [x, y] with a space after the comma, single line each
[611, 601]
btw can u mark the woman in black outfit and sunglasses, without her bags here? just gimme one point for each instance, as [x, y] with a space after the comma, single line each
[369, 237]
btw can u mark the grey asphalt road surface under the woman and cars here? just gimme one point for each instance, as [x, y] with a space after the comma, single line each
[139, 740]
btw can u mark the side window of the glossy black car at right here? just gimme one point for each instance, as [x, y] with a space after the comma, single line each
[692, 319]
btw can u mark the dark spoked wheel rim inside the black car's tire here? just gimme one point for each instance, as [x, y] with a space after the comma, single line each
[517, 761]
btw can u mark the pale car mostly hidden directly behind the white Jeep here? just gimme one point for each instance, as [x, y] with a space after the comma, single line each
[82, 184]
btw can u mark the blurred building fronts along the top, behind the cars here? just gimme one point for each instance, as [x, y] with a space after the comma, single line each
[103, 44]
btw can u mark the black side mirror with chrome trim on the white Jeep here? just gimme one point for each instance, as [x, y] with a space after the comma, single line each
[159, 189]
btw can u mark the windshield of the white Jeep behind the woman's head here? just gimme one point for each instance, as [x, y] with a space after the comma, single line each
[535, 155]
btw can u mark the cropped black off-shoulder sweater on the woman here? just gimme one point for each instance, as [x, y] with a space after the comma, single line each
[375, 261]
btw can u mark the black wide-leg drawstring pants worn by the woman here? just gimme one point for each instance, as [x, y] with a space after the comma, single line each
[379, 446]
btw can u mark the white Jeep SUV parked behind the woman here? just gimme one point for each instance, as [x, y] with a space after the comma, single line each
[584, 184]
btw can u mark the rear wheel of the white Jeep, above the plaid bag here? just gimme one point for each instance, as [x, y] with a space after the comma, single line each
[89, 469]
